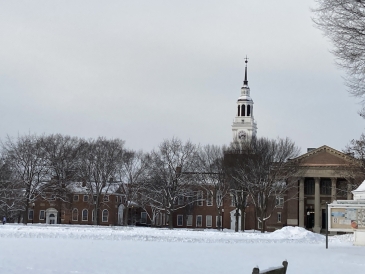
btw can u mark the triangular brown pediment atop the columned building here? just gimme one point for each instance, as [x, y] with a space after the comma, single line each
[325, 156]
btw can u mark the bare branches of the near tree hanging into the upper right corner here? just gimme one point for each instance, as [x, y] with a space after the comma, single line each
[343, 22]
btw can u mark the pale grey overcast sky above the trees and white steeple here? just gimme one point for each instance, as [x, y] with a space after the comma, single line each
[145, 71]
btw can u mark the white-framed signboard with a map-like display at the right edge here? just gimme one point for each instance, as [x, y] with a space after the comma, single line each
[346, 217]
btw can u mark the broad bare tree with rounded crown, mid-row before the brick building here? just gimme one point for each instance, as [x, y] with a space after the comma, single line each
[172, 175]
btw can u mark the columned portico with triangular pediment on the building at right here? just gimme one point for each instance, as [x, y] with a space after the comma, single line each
[323, 177]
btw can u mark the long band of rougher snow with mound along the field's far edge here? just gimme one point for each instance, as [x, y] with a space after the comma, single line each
[285, 235]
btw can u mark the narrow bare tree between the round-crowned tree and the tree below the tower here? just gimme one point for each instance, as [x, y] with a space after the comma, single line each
[212, 177]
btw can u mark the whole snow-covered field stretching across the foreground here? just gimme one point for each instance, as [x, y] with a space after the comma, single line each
[88, 249]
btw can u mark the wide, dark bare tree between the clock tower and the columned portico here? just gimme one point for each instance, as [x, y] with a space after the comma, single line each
[265, 168]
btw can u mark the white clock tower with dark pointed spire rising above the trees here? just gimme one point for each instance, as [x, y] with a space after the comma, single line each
[244, 125]
